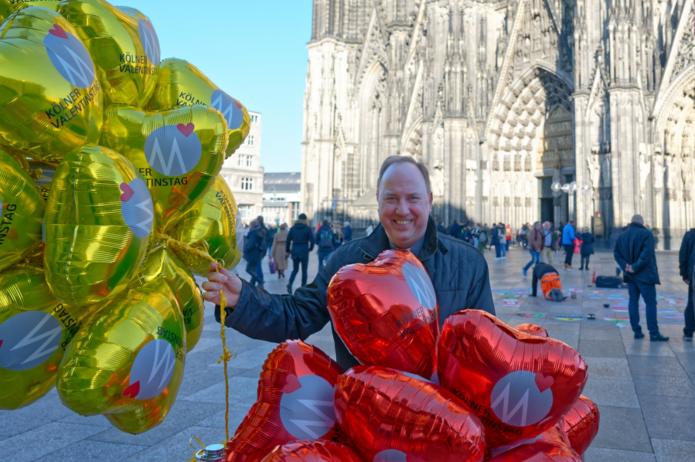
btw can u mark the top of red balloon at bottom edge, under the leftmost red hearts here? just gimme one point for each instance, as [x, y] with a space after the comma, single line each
[314, 451]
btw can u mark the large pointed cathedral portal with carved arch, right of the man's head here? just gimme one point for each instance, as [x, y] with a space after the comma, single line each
[530, 145]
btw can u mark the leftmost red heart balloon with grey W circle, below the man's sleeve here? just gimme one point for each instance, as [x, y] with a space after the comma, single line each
[295, 402]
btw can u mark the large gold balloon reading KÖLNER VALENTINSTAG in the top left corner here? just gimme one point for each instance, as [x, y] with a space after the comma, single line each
[50, 98]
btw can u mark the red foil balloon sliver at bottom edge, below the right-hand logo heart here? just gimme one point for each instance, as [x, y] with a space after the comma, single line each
[551, 445]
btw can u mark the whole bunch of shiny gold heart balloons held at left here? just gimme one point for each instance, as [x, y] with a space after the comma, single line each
[110, 200]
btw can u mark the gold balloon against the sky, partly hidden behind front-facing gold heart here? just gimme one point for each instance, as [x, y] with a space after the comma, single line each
[182, 84]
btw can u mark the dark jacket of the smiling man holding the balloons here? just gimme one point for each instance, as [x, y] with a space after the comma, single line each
[459, 275]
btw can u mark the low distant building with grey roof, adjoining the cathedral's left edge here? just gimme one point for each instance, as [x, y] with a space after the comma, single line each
[281, 197]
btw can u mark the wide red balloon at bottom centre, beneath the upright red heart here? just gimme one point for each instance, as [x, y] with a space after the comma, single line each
[391, 415]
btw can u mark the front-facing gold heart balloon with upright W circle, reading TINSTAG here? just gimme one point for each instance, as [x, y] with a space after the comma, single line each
[178, 152]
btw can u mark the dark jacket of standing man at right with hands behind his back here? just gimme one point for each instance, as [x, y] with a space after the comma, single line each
[635, 246]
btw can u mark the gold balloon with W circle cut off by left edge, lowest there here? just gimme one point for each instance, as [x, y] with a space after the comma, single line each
[34, 331]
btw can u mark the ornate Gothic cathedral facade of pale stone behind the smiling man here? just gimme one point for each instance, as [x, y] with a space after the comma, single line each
[523, 110]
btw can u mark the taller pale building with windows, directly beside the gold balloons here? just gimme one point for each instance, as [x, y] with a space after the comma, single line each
[244, 174]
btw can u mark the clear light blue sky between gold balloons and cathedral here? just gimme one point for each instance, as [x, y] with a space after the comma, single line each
[255, 50]
